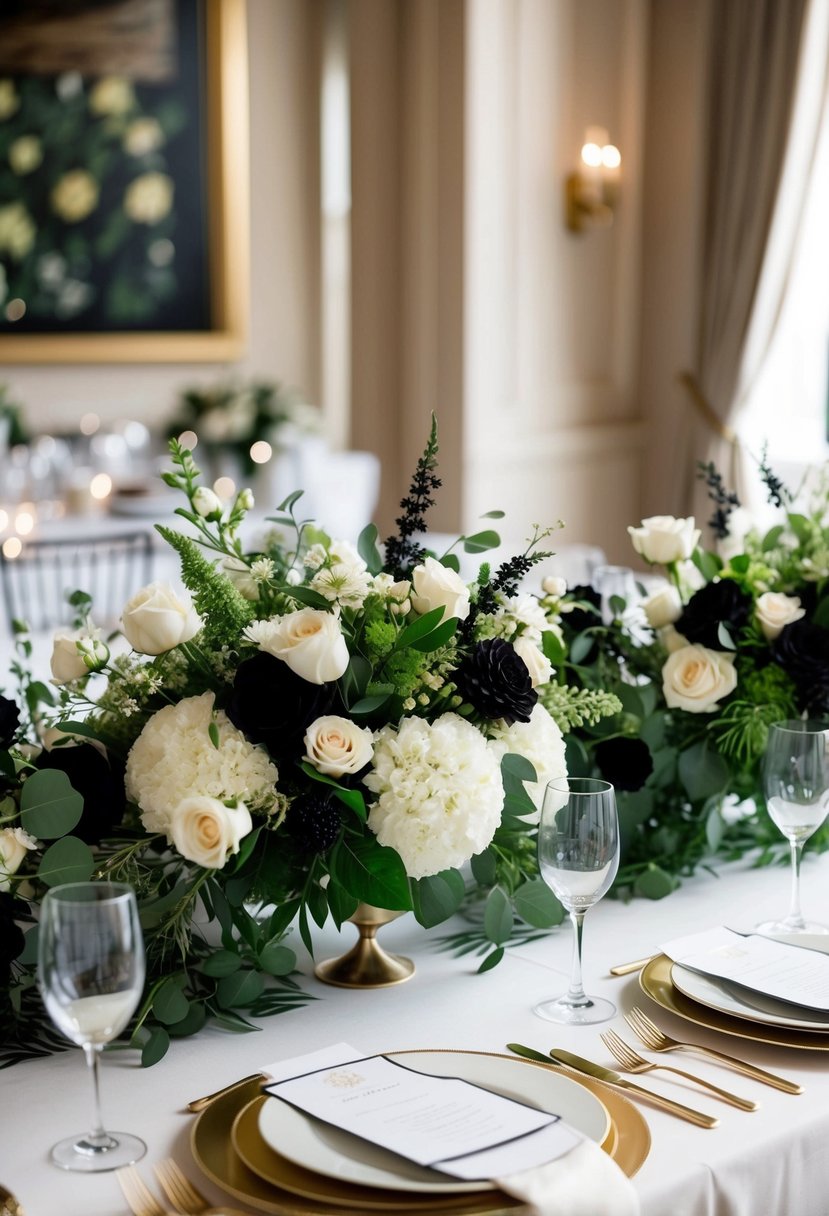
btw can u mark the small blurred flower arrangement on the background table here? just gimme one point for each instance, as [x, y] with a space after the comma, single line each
[233, 418]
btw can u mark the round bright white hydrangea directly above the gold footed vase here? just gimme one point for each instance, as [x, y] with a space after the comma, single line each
[439, 792]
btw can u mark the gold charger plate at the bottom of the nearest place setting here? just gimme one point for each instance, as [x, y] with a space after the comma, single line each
[215, 1153]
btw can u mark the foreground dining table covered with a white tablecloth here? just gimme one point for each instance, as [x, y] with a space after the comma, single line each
[770, 1162]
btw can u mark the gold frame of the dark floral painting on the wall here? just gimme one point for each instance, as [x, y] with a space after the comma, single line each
[228, 229]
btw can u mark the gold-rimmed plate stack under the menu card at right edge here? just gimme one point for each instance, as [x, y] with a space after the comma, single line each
[721, 1005]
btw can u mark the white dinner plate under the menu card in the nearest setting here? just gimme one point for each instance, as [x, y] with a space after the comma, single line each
[317, 1146]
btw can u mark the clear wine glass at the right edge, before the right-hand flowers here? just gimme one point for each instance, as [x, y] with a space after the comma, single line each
[797, 785]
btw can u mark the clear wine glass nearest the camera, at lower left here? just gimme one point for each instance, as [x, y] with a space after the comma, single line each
[91, 972]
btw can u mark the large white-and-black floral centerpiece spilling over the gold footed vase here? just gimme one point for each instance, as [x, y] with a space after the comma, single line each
[322, 727]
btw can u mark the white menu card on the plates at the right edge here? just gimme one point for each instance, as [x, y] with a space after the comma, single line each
[798, 977]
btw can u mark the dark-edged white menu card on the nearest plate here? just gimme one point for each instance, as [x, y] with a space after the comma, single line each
[444, 1123]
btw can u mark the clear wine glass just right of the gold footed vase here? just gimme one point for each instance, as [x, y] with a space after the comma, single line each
[578, 859]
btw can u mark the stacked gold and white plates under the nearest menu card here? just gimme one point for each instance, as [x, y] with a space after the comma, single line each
[281, 1161]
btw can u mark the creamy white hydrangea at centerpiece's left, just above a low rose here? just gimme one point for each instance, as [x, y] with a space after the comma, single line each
[174, 758]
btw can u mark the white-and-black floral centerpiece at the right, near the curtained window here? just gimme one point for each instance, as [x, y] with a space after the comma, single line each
[736, 639]
